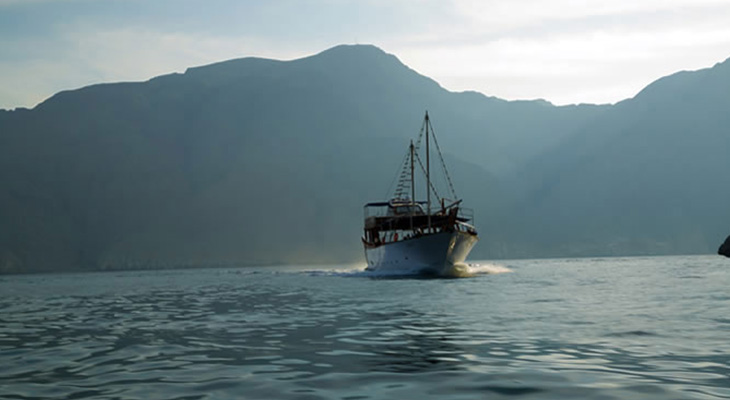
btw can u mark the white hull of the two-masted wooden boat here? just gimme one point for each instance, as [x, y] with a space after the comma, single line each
[434, 254]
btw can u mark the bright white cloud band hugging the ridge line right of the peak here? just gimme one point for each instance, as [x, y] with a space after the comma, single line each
[599, 67]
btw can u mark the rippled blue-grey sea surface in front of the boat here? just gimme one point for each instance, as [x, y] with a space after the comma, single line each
[609, 328]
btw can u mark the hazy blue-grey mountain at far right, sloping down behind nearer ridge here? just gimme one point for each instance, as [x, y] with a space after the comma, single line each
[649, 176]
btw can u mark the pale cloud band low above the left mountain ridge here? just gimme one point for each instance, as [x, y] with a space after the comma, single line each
[79, 57]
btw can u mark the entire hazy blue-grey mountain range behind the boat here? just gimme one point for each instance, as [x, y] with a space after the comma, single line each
[264, 161]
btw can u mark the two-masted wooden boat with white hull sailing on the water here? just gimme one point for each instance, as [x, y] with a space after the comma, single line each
[406, 236]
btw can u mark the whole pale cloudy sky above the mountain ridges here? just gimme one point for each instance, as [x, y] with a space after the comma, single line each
[565, 51]
